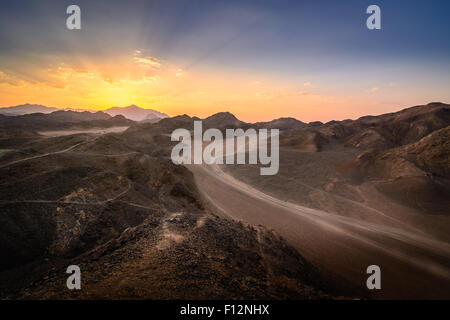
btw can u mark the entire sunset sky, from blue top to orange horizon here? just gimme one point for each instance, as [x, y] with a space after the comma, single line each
[260, 60]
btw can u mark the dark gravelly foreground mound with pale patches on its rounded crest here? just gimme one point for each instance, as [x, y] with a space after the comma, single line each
[187, 256]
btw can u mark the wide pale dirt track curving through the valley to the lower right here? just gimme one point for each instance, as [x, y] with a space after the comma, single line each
[412, 265]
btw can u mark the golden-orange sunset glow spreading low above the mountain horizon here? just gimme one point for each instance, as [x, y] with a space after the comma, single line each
[154, 83]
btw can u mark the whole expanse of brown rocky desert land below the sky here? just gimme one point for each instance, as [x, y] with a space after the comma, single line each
[141, 227]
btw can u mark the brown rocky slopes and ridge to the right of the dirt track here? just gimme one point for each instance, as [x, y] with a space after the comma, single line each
[409, 147]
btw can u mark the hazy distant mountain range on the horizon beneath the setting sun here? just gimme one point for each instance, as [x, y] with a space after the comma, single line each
[131, 112]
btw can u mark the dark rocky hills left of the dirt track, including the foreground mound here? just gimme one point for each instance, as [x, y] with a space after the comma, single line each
[135, 224]
